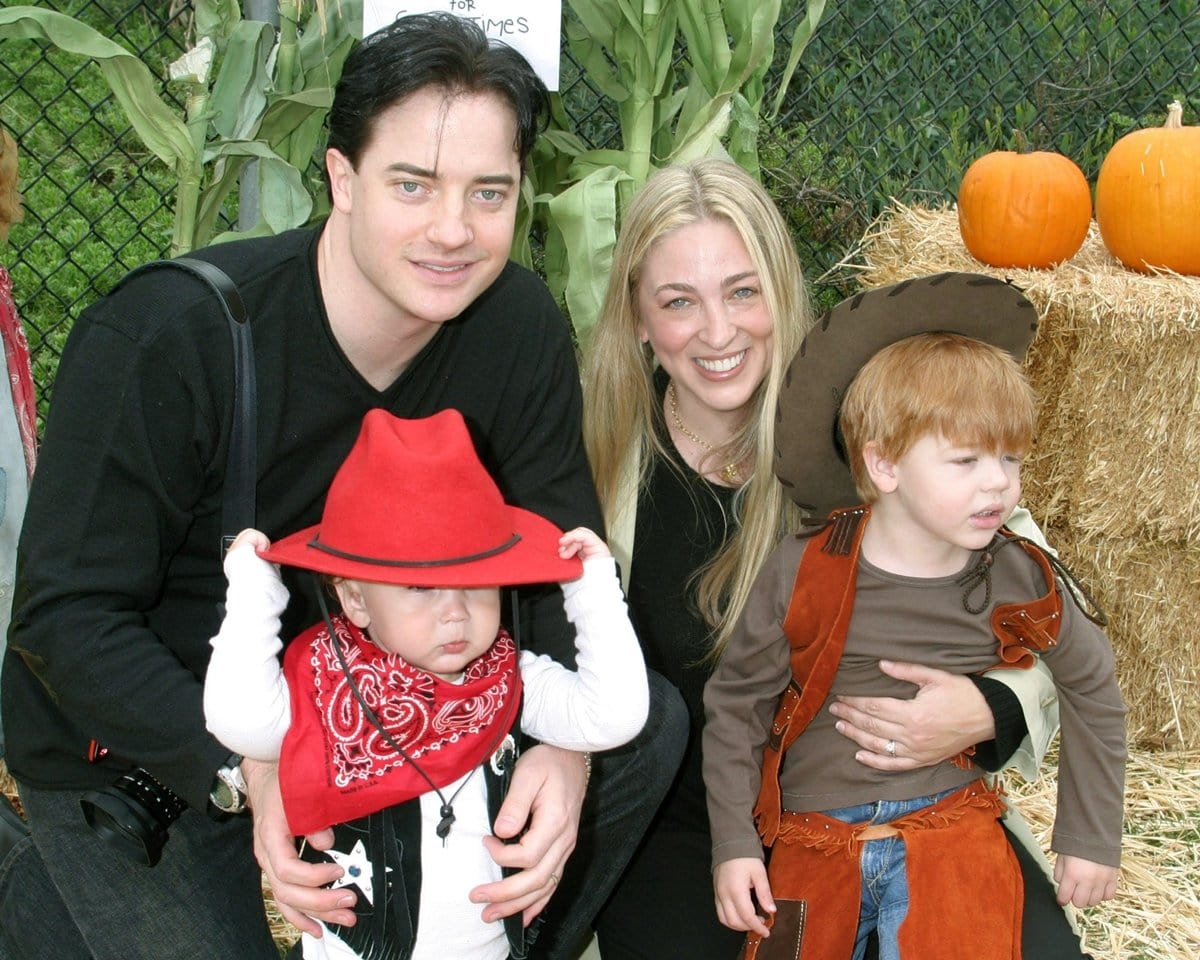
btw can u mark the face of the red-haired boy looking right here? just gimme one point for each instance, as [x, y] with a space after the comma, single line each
[957, 495]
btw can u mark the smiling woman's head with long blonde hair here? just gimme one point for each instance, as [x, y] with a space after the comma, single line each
[623, 405]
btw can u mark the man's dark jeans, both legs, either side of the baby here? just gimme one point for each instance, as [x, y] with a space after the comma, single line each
[70, 896]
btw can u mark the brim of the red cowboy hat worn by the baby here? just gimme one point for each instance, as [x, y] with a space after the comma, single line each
[532, 557]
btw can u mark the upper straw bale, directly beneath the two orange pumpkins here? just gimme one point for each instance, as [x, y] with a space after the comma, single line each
[1117, 368]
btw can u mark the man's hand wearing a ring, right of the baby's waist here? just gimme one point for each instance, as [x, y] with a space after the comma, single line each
[548, 794]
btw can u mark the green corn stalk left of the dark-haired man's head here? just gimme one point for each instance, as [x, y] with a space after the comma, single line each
[247, 94]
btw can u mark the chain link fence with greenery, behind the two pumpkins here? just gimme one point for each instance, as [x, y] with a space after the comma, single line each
[897, 100]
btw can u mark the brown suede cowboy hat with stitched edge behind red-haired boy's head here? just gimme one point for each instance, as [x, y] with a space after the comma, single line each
[809, 459]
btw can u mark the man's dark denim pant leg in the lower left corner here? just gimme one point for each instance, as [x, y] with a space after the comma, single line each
[203, 899]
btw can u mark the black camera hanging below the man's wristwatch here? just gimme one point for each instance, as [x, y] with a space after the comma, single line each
[134, 815]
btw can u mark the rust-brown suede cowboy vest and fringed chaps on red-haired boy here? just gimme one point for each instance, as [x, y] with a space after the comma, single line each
[814, 867]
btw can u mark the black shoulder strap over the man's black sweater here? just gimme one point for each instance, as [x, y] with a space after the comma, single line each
[238, 509]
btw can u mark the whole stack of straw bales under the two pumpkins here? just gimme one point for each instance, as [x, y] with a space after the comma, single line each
[1113, 477]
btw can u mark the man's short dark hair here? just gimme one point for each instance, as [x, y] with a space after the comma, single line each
[440, 51]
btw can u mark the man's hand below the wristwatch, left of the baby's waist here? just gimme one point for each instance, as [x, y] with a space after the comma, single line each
[296, 884]
